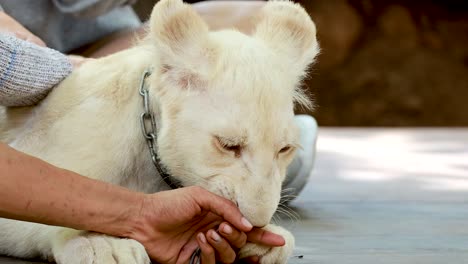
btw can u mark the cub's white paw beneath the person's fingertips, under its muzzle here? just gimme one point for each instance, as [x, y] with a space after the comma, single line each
[271, 255]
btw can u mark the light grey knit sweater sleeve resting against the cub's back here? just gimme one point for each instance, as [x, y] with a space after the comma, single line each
[28, 72]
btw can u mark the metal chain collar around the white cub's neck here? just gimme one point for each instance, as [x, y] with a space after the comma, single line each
[149, 130]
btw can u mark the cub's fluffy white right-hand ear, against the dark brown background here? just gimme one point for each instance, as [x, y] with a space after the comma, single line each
[287, 28]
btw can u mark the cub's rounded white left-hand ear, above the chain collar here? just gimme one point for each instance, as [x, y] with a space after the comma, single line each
[181, 37]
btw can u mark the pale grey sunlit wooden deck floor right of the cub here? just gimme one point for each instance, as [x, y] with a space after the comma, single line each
[383, 196]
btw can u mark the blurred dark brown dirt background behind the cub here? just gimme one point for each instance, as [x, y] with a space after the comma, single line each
[389, 62]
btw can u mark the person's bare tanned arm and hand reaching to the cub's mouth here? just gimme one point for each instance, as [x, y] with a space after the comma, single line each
[166, 223]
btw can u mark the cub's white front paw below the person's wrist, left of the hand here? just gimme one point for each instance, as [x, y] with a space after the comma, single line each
[92, 248]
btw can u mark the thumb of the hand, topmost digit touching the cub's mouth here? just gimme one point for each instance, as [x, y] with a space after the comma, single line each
[222, 207]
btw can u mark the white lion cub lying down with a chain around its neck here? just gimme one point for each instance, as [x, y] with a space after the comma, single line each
[223, 103]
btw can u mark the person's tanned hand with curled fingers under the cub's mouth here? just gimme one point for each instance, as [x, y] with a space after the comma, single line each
[172, 224]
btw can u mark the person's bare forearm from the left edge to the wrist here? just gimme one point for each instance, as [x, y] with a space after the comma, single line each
[33, 190]
